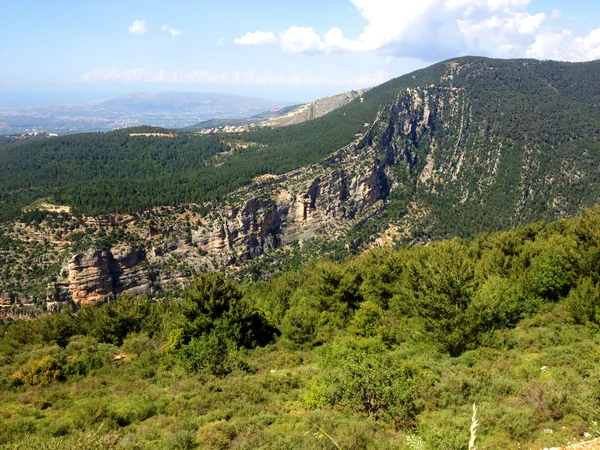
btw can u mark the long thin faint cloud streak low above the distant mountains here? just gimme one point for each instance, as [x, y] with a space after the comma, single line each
[142, 75]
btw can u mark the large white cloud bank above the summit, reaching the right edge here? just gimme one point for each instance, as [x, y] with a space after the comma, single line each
[445, 28]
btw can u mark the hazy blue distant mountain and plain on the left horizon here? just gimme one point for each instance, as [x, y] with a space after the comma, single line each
[166, 109]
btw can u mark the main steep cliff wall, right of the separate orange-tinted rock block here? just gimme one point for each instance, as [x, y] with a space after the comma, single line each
[323, 199]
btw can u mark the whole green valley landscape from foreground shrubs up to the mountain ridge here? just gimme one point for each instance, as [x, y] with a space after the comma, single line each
[356, 272]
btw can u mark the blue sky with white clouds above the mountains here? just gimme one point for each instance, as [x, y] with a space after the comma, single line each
[65, 51]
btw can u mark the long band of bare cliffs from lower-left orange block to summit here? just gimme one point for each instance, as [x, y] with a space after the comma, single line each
[326, 199]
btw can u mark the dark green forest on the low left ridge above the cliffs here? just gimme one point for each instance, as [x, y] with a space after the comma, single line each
[117, 172]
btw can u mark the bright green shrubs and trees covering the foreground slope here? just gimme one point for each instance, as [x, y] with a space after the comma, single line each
[389, 349]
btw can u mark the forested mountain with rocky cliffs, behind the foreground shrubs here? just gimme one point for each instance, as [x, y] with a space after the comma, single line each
[465, 146]
